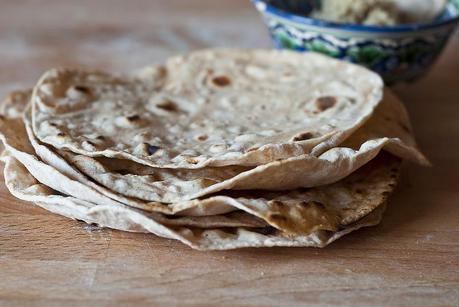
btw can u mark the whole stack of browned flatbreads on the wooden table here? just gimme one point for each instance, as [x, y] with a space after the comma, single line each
[219, 149]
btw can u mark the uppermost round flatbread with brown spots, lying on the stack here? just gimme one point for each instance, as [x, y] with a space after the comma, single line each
[209, 108]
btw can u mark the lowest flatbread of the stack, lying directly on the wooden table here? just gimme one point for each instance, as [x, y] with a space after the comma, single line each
[24, 186]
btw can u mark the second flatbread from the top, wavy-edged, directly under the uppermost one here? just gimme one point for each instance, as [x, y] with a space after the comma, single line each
[389, 128]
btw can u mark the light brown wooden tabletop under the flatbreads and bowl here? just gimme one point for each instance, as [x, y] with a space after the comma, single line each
[412, 258]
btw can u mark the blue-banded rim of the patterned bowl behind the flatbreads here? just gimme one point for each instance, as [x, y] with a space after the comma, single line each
[264, 7]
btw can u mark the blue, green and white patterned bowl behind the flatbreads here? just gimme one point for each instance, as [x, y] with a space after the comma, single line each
[397, 53]
